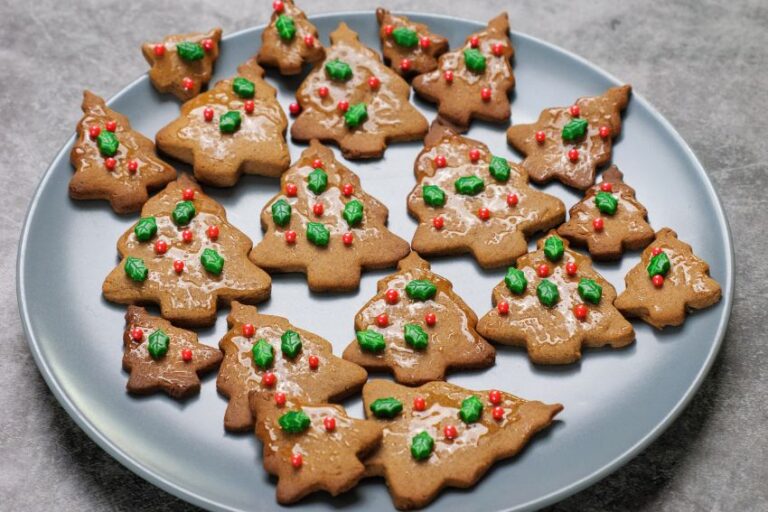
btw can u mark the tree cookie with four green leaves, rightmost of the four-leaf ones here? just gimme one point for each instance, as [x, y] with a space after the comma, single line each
[553, 302]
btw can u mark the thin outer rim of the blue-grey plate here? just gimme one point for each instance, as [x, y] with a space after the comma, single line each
[137, 467]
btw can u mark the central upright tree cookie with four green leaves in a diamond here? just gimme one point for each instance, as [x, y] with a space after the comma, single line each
[324, 224]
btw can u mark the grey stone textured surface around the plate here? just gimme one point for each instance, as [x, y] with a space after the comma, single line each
[702, 63]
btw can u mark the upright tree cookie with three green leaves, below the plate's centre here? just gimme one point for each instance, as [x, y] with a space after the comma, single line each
[417, 327]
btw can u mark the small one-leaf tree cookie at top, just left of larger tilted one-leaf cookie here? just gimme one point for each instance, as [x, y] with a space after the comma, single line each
[408, 47]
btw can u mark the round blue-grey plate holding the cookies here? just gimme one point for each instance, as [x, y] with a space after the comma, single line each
[616, 401]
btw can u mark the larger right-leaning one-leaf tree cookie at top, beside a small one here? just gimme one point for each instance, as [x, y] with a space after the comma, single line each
[475, 80]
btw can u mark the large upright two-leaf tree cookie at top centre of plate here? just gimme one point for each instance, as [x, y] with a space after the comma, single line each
[354, 100]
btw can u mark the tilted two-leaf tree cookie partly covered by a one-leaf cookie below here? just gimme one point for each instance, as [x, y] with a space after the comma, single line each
[267, 355]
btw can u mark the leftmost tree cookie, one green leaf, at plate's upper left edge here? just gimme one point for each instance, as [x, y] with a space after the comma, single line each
[113, 161]
